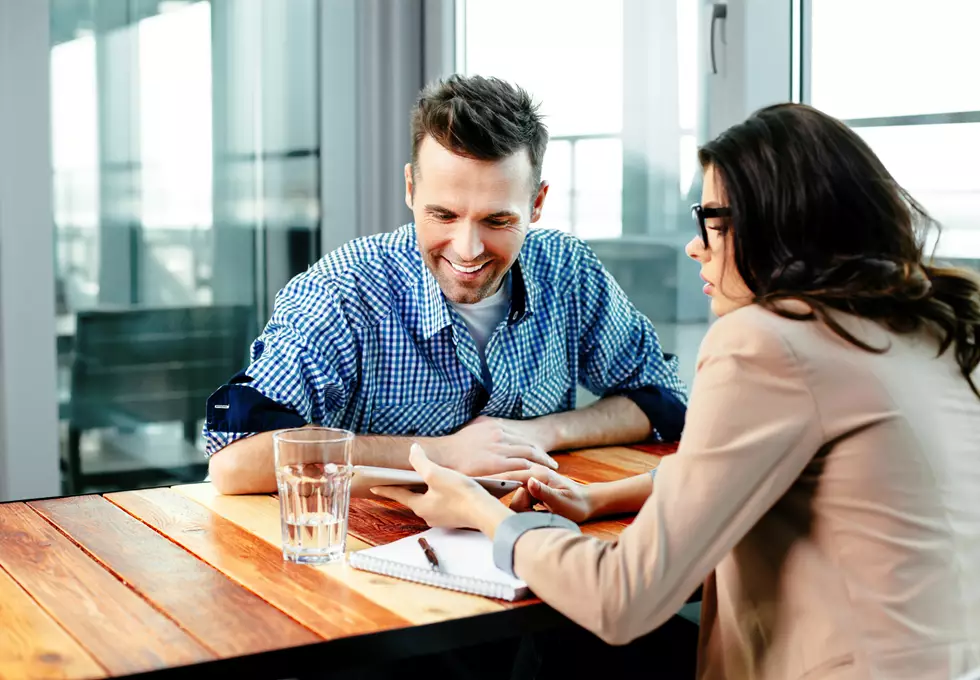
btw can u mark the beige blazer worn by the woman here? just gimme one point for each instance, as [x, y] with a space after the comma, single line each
[828, 497]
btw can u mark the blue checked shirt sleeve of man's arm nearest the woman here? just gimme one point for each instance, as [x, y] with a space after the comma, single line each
[620, 353]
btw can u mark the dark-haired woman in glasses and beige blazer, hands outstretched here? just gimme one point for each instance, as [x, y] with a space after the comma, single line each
[825, 485]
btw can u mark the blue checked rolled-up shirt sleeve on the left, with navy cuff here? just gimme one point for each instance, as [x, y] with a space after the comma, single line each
[302, 369]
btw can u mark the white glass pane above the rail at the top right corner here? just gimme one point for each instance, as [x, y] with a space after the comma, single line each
[885, 58]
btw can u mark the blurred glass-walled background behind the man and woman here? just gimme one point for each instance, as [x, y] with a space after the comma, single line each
[186, 158]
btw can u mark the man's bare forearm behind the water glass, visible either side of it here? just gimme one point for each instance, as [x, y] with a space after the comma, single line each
[248, 465]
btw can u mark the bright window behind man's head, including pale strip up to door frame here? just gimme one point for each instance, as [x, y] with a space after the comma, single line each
[599, 79]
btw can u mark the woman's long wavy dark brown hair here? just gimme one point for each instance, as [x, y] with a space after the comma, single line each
[817, 217]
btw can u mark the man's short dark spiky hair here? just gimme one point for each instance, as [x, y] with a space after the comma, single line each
[485, 119]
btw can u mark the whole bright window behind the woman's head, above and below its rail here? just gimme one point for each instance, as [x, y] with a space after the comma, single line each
[902, 75]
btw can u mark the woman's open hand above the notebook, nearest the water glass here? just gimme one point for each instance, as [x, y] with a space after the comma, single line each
[452, 499]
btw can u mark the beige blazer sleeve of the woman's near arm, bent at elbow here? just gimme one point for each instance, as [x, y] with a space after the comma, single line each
[752, 427]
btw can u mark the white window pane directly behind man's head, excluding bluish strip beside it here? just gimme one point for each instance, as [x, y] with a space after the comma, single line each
[542, 47]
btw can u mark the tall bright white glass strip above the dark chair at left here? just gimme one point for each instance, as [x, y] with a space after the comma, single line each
[175, 150]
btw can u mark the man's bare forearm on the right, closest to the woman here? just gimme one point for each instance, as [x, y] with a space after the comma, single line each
[609, 421]
